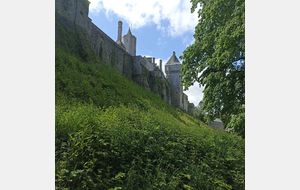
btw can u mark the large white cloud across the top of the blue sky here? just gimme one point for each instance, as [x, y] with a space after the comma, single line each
[141, 13]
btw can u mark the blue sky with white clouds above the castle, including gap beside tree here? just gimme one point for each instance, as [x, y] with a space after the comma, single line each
[160, 27]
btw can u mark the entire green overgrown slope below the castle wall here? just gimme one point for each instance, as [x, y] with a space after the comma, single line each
[112, 134]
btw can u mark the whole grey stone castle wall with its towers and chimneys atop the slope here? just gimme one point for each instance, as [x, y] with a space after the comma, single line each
[121, 54]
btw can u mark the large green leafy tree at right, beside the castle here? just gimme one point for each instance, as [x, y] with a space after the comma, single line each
[217, 58]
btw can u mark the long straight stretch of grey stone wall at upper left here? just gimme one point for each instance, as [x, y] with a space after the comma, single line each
[111, 53]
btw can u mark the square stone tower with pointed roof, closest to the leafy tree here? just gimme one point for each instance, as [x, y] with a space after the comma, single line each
[173, 70]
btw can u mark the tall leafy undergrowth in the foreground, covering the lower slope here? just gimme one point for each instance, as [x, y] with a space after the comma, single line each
[148, 149]
